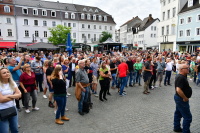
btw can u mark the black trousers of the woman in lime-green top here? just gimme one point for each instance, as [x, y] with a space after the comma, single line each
[104, 89]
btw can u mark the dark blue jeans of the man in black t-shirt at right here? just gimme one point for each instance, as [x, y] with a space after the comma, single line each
[182, 110]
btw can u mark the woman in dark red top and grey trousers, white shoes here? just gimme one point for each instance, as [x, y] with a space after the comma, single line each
[28, 83]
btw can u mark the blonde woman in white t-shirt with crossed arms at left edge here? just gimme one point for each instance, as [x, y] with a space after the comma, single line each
[8, 93]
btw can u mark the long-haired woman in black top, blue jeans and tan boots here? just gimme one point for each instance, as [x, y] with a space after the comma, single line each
[59, 86]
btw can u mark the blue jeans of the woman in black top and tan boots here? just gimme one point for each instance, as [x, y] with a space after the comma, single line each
[61, 103]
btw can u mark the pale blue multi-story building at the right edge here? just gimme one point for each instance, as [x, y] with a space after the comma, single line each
[188, 35]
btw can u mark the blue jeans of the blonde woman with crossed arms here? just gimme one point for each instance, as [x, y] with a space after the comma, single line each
[9, 124]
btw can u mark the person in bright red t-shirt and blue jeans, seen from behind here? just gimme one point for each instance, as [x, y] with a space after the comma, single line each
[123, 70]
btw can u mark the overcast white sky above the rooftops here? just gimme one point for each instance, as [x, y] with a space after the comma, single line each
[123, 10]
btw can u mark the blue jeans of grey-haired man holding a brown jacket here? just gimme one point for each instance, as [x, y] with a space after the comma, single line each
[84, 98]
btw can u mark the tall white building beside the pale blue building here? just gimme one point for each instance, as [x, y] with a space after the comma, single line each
[167, 28]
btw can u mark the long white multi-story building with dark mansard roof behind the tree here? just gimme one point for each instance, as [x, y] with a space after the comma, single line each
[35, 17]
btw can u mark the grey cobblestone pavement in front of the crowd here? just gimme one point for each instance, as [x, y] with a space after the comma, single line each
[134, 113]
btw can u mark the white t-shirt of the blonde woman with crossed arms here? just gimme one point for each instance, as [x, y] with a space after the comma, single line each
[6, 90]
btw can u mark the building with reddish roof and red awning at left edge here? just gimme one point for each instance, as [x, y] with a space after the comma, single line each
[7, 24]
